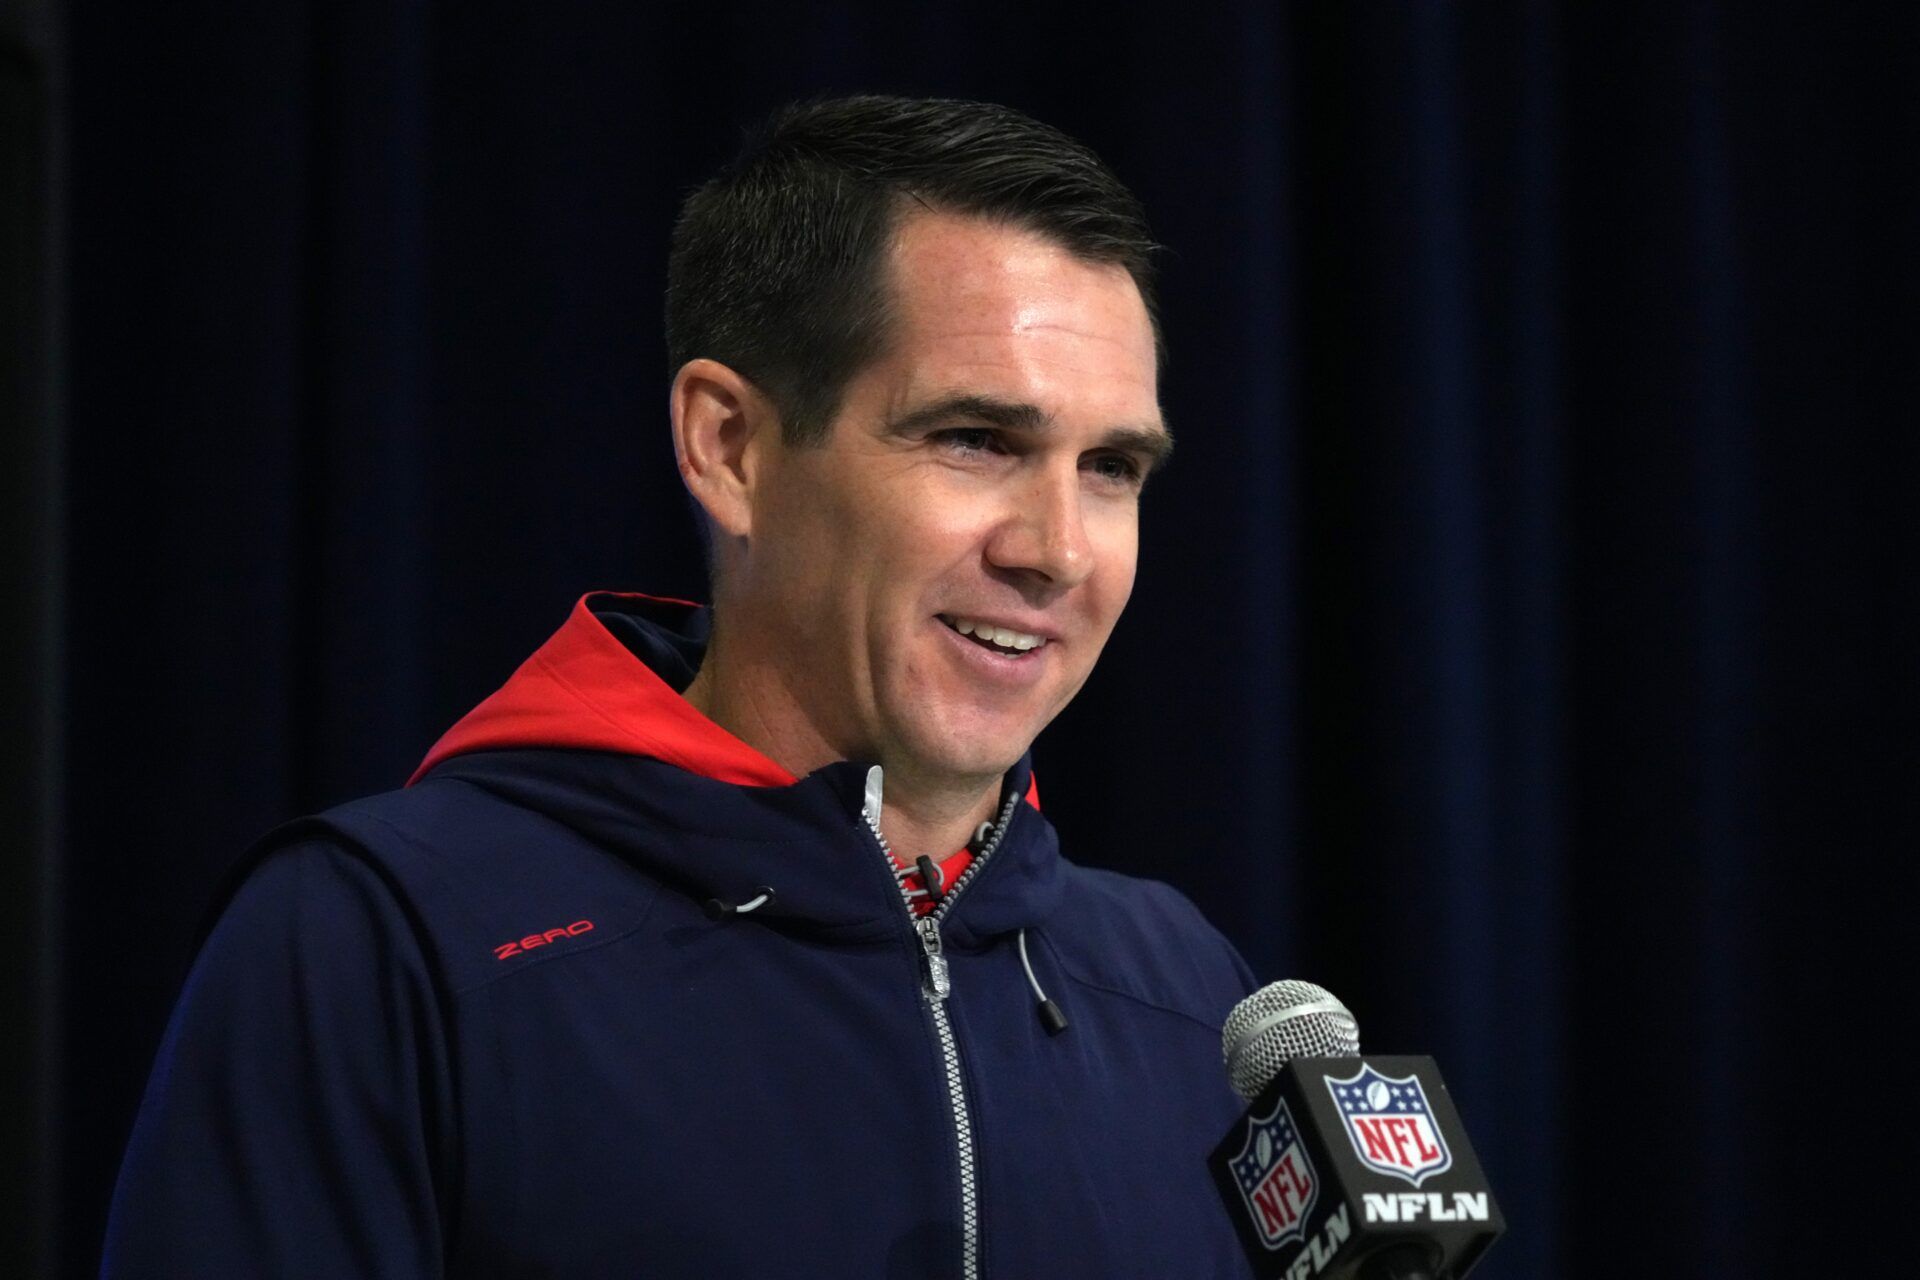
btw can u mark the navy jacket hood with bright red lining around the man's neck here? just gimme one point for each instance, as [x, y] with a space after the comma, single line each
[594, 734]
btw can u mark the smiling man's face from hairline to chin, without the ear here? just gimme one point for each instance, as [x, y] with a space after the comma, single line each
[984, 473]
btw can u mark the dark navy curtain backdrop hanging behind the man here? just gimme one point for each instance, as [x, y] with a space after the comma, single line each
[1527, 632]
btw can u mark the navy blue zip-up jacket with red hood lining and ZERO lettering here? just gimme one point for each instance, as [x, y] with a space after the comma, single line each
[487, 1028]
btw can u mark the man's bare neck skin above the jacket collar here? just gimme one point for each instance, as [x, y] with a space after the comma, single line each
[921, 815]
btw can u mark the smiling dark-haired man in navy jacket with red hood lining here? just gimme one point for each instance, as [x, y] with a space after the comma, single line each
[752, 953]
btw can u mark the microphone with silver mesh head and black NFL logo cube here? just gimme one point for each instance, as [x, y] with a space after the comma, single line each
[1345, 1168]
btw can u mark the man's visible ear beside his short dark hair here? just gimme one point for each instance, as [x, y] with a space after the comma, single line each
[721, 427]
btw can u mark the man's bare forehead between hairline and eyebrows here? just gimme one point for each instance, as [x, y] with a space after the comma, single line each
[1001, 310]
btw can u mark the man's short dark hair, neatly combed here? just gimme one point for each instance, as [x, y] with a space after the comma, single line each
[777, 266]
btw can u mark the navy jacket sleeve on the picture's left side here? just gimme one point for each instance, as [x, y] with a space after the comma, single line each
[297, 1120]
